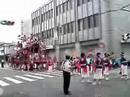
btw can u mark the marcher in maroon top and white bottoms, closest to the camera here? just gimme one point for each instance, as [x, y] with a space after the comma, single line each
[98, 66]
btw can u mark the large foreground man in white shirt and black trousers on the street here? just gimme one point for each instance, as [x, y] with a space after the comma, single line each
[66, 75]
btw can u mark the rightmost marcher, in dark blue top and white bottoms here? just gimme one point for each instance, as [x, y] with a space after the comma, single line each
[124, 67]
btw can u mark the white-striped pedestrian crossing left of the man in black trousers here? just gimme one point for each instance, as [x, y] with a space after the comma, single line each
[28, 77]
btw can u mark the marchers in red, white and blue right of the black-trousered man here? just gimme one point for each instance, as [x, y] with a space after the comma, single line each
[94, 68]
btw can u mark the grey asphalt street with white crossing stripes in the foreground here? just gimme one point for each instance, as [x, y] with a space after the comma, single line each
[43, 84]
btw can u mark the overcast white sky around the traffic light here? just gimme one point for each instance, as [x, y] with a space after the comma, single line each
[16, 10]
